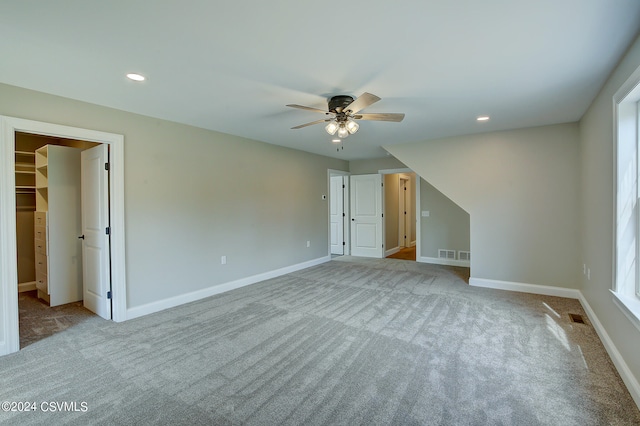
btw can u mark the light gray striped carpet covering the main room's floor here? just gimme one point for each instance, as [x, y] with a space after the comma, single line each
[351, 341]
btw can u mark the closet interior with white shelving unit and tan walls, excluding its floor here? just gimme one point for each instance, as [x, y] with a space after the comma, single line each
[48, 217]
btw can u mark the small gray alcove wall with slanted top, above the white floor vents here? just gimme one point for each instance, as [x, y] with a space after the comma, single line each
[446, 227]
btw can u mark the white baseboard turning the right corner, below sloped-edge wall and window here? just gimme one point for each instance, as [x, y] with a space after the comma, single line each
[623, 369]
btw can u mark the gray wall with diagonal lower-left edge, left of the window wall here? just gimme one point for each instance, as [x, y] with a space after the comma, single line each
[521, 190]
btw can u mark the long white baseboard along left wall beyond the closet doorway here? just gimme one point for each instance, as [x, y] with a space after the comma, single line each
[171, 302]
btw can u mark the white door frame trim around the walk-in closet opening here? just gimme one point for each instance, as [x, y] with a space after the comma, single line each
[9, 127]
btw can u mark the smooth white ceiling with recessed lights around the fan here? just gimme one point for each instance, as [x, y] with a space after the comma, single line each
[232, 66]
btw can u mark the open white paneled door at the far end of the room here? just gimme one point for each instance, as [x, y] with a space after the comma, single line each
[366, 216]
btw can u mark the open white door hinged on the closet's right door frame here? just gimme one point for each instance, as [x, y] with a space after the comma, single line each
[96, 272]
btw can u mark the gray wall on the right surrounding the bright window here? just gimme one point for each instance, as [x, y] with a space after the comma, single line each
[596, 167]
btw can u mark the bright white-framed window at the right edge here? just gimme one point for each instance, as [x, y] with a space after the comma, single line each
[626, 286]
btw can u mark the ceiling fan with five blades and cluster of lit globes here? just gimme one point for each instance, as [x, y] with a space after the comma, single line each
[343, 111]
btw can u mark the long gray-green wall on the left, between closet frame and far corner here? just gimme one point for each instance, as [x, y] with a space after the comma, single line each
[193, 195]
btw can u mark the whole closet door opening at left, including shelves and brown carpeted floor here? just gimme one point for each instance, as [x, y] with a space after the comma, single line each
[50, 264]
